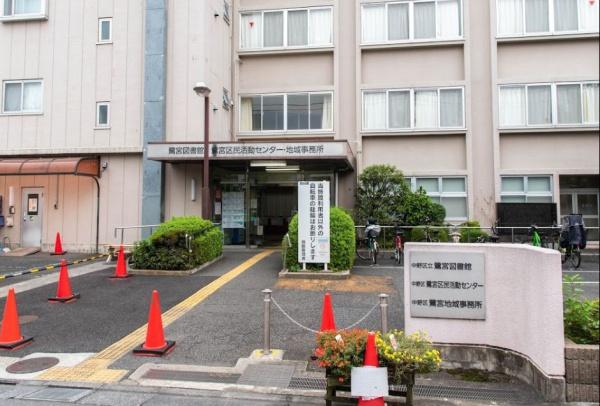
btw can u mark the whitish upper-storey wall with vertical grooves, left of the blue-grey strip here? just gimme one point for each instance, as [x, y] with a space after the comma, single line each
[76, 73]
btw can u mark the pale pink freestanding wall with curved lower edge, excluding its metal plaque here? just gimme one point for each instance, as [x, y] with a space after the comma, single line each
[523, 302]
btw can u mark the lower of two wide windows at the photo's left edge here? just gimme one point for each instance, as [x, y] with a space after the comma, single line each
[22, 96]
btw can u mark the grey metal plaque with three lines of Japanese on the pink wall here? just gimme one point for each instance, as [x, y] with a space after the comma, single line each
[447, 285]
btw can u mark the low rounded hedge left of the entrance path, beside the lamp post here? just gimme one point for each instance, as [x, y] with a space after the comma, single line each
[166, 248]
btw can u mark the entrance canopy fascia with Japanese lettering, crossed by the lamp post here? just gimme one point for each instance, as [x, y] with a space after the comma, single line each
[337, 153]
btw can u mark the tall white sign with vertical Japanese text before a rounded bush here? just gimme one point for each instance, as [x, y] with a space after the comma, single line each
[313, 222]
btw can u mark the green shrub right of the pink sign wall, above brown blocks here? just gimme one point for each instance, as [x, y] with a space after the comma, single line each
[580, 315]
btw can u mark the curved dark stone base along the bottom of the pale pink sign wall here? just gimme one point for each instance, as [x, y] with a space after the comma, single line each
[512, 363]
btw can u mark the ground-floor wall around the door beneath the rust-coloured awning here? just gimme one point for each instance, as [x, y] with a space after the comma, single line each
[74, 215]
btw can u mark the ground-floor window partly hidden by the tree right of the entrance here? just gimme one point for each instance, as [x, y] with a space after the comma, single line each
[450, 192]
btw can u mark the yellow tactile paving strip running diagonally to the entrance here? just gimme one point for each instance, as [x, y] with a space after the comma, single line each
[95, 369]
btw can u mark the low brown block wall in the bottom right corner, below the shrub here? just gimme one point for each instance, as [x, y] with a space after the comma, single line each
[581, 366]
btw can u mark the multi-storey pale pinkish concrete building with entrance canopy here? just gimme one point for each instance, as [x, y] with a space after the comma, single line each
[476, 101]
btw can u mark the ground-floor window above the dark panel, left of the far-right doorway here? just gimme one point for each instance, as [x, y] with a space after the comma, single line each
[526, 189]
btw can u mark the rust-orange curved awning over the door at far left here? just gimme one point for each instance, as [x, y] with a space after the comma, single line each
[80, 166]
